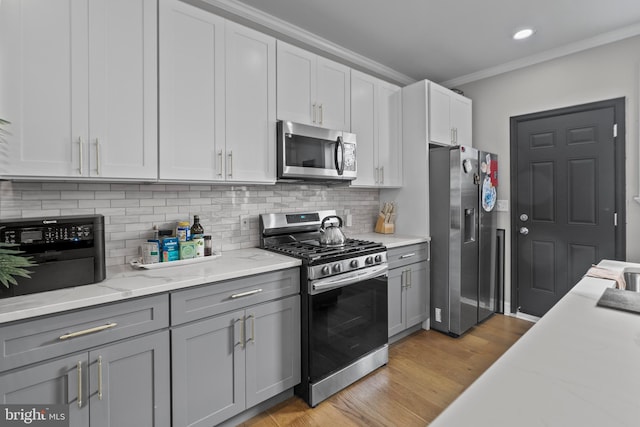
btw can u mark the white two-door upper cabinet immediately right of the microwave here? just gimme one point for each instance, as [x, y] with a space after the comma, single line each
[376, 120]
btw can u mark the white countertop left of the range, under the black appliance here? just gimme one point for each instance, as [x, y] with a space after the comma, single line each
[124, 282]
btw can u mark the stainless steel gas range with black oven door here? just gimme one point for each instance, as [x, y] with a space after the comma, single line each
[344, 302]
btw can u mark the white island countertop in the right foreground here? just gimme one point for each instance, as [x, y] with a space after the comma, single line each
[578, 366]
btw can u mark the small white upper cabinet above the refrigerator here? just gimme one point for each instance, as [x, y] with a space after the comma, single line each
[449, 117]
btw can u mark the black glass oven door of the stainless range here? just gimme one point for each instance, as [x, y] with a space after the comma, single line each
[346, 322]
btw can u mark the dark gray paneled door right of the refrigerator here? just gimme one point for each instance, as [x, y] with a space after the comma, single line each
[566, 209]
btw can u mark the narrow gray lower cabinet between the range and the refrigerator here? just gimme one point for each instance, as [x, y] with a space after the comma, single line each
[408, 287]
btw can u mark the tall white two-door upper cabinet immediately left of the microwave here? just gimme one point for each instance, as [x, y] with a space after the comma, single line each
[217, 98]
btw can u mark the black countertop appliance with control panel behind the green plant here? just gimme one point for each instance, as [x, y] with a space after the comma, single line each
[68, 251]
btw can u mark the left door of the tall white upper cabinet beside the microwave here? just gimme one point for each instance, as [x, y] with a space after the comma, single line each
[192, 98]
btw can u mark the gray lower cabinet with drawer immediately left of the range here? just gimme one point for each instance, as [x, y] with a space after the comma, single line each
[226, 363]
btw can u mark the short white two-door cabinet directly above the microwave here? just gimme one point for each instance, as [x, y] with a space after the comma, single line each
[312, 90]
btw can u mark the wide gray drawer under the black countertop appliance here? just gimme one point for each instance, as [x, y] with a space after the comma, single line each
[42, 338]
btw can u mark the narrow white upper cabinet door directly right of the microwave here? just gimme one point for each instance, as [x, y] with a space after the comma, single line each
[364, 124]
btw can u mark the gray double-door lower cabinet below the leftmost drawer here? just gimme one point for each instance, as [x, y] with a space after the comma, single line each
[122, 384]
